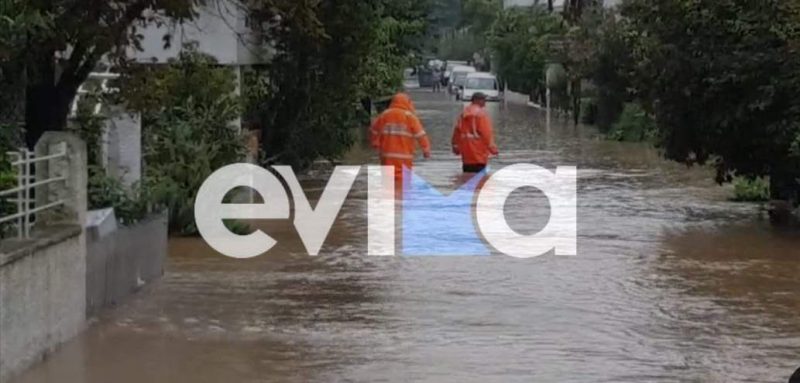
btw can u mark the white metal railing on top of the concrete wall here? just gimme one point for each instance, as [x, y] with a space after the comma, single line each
[23, 195]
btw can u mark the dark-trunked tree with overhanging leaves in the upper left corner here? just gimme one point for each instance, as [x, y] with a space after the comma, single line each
[61, 41]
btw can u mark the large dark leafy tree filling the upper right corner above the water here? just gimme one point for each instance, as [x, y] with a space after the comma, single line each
[722, 79]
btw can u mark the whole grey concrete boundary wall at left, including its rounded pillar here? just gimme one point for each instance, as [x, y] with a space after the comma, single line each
[50, 281]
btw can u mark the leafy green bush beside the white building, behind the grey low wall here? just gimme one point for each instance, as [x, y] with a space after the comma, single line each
[187, 111]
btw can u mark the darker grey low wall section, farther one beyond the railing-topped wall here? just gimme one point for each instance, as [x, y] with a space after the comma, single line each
[121, 262]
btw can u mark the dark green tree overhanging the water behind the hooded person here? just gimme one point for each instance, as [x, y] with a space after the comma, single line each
[327, 61]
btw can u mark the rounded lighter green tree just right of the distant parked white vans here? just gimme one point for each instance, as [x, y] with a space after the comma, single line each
[521, 39]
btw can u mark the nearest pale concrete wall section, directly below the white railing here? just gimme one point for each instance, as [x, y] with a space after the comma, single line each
[42, 295]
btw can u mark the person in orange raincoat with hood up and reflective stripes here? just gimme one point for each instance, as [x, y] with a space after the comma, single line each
[395, 133]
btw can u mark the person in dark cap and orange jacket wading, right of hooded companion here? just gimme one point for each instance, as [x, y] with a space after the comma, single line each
[473, 136]
